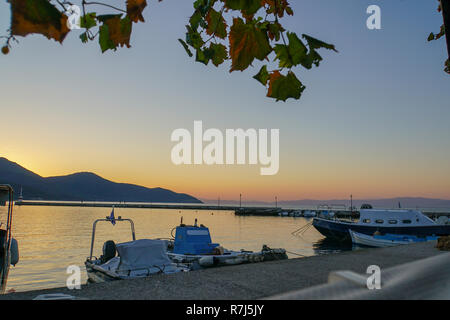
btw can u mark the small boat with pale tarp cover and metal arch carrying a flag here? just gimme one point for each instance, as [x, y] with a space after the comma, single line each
[129, 260]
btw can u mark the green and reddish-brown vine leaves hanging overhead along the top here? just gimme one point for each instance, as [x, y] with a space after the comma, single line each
[242, 32]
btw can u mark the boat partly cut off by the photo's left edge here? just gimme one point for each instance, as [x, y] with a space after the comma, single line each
[9, 249]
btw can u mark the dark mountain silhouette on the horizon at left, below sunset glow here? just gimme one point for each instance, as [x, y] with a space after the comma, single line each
[82, 186]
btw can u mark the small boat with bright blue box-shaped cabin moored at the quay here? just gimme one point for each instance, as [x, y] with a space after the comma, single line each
[193, 245]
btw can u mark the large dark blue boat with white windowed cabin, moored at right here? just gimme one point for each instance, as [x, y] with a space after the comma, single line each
[398, 222]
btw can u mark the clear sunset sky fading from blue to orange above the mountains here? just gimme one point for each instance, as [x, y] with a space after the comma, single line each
[374, 120]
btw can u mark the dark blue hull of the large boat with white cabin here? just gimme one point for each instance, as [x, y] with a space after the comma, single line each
[339, 230]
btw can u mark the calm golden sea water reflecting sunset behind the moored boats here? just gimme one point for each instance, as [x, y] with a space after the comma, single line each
[52, 238]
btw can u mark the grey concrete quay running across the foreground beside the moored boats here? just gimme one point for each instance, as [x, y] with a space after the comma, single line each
[249, 281]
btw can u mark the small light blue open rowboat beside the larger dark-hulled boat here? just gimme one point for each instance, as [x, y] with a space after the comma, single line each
[386, 240]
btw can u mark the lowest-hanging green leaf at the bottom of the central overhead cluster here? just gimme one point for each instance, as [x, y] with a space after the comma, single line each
[284, 87]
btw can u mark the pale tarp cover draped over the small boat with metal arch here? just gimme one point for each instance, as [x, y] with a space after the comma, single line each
[142, 254]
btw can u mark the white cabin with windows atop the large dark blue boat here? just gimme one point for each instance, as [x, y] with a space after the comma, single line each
[394, 218]
